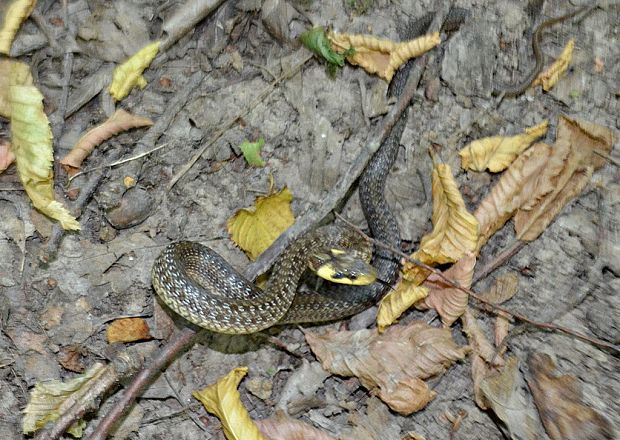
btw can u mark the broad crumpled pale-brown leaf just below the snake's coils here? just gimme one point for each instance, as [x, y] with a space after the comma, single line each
[391, 364]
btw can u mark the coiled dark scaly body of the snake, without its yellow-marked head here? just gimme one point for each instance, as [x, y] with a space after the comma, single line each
[200, 285]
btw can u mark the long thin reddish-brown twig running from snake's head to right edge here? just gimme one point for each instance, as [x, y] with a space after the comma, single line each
[488, 305]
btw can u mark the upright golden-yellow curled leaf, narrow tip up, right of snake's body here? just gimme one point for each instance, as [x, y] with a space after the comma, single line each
[455, 231]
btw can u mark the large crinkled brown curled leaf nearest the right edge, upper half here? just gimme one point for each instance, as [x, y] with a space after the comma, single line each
[567, 172]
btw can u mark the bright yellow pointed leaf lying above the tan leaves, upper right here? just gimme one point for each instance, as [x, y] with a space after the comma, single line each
[495, 153]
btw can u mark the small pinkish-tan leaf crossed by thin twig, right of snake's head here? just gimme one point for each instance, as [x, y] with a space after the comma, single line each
[449, 302]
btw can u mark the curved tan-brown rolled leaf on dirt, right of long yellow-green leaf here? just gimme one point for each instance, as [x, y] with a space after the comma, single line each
[120, 121]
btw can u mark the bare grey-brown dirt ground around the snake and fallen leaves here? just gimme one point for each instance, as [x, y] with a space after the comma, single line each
[55, 315]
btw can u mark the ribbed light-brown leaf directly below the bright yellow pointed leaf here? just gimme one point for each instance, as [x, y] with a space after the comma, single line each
[515, 186]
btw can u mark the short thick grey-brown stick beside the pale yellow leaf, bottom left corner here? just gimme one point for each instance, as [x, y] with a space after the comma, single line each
[125, 364]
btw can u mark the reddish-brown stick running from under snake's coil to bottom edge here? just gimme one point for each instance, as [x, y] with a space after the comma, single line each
[182, 339]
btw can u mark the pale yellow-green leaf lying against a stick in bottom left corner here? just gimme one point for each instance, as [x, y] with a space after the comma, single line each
[50, 400]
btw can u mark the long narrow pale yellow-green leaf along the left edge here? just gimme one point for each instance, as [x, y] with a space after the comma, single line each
[32, 145]
